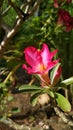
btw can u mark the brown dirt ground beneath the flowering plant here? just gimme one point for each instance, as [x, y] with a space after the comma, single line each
[33, 118]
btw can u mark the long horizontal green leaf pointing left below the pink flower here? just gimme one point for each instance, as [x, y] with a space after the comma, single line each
[29, 88]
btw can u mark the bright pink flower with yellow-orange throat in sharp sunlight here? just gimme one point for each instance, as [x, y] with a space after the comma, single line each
[39, 61]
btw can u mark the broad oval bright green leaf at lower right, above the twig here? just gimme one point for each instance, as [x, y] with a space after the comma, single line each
[62, 102]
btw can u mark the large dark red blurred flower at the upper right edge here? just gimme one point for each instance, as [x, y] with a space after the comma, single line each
[65, 19]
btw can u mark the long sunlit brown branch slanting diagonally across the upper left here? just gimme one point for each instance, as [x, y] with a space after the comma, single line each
[15, 29]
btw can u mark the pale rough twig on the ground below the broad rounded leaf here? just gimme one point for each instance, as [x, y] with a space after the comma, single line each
[63, 117]
